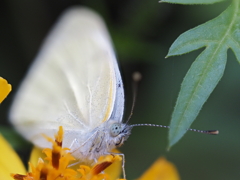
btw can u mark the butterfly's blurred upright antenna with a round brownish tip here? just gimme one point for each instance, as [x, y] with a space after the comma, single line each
[136, 78]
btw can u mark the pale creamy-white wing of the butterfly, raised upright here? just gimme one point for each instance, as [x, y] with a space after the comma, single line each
[74, 82]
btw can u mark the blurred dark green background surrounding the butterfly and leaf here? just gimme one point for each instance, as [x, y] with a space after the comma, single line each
[142, 32]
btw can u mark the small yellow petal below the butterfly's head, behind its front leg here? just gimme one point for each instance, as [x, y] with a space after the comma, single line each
[114, 171]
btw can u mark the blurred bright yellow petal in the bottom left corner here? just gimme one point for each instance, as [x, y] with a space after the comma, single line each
[9, 161]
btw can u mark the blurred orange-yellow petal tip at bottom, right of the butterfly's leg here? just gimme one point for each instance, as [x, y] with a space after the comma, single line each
[161, 169]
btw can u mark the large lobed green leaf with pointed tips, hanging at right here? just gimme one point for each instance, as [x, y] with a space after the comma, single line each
[217, 36]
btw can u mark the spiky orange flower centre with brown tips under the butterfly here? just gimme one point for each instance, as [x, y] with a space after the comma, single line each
[55, 165]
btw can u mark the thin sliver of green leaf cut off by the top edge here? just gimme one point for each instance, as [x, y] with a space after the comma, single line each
[191, 1]
